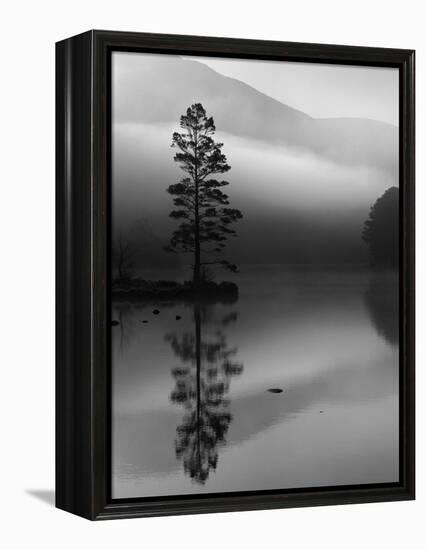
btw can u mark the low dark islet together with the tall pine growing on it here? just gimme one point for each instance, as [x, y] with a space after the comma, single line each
[204, 216]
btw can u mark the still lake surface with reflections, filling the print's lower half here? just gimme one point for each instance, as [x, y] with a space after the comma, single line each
[191, 406]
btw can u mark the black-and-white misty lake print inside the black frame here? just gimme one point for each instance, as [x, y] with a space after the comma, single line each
[254, 275]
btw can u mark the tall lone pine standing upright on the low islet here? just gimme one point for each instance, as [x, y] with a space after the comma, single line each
[201, 205]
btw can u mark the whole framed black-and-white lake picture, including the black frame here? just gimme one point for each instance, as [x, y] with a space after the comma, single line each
[235, 274]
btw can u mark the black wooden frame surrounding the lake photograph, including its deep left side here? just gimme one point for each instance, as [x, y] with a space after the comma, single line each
[82, 311]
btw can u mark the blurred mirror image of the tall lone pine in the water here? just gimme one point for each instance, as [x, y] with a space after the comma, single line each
[201, 386]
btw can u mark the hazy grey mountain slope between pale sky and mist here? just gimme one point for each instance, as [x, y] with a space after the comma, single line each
[158, 89]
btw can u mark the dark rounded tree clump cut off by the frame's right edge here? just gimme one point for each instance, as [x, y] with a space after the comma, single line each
[380, 230]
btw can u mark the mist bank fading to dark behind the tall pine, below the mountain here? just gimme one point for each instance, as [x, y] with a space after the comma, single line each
[314, 205]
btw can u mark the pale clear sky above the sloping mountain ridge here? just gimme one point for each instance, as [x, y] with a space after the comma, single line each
[320, 90]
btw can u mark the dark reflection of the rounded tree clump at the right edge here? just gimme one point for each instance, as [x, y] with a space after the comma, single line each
[381, 299]
